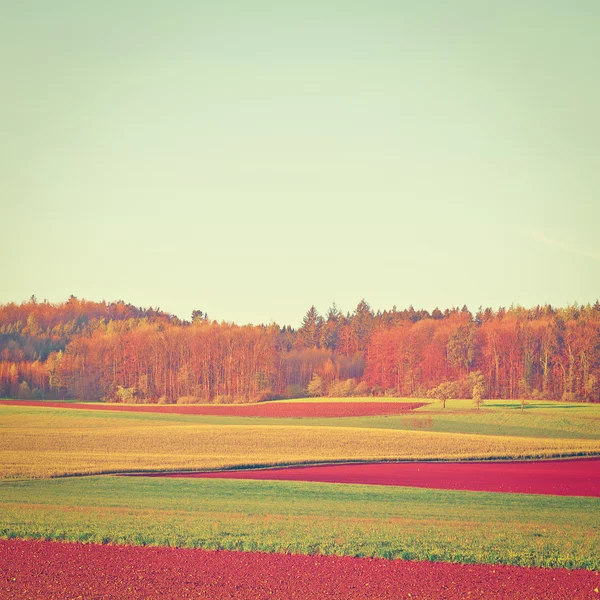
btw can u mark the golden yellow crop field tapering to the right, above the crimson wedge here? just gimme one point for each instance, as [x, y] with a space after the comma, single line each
[48, 443]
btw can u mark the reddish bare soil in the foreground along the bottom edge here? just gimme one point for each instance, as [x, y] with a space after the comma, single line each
[54, 570]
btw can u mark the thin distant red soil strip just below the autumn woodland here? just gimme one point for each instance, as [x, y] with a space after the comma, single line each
[274, 410]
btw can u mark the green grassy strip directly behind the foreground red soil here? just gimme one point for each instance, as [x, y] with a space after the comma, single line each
[307, 518]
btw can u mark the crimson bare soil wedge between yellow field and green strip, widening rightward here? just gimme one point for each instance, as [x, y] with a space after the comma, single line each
[579, 477]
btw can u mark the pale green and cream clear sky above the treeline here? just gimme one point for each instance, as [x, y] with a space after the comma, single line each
[250, 159]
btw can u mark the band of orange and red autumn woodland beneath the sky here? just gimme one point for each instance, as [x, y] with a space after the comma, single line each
[118, 352]
